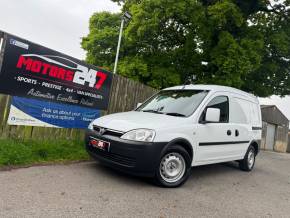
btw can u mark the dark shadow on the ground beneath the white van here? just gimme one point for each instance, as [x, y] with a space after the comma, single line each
[201, 173]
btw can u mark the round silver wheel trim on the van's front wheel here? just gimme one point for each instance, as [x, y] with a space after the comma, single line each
[172, 167]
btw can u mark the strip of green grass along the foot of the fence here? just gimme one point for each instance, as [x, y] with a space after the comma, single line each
[29, 152]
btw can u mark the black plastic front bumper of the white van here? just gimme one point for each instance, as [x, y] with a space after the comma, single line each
[137, 158]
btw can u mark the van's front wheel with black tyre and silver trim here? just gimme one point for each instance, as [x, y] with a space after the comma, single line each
[174, 167]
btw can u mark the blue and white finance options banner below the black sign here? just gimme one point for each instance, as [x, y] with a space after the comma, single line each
[32, 112]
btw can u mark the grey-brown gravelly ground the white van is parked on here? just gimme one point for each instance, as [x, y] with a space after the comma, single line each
[92, 190]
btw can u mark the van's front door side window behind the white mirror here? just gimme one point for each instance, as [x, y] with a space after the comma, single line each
[219, 102]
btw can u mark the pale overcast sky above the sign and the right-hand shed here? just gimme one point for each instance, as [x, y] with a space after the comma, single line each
[60, 24]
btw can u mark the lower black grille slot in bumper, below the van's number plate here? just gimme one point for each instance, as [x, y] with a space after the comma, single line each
[119, 159]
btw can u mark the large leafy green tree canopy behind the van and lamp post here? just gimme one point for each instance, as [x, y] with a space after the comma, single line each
[242, 43]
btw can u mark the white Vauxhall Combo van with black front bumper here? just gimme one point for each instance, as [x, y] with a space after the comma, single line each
[179, 128]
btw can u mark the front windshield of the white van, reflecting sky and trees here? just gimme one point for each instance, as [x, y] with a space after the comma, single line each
[180, 103]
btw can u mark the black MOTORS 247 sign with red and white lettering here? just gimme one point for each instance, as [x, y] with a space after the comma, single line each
[34, 71]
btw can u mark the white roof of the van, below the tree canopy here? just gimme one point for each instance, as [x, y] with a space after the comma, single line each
[213, 88]
